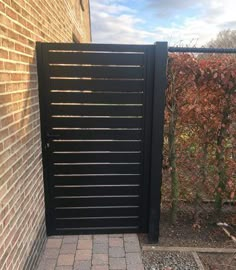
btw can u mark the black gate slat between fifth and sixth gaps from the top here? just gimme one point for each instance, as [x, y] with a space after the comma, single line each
[96, 110]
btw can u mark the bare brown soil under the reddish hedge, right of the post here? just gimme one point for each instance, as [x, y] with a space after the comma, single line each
[188, 234]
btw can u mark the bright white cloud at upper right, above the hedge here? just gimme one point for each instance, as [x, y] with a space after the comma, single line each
[216, 15]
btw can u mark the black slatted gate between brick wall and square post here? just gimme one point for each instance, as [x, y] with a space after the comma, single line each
[96, 104]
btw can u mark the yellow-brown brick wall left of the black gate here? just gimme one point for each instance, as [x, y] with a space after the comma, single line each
[22, 222]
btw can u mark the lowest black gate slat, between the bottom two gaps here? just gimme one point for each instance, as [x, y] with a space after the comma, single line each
[98, 222]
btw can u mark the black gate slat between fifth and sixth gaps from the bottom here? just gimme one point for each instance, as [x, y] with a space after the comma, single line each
[97, 180]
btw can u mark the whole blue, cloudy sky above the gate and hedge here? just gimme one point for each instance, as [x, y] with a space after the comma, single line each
[180, 22]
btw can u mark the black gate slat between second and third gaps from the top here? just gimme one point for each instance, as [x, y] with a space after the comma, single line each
[97, 72]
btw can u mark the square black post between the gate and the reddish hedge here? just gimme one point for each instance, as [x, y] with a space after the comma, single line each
[160, 84]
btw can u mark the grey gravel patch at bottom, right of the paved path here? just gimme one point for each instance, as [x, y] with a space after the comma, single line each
[168, 261]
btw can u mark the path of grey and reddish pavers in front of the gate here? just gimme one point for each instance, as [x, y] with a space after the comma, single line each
[92, 252]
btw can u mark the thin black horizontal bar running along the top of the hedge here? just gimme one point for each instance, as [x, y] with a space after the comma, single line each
[201, 50]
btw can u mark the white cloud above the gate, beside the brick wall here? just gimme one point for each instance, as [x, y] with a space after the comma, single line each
[116, 23]
